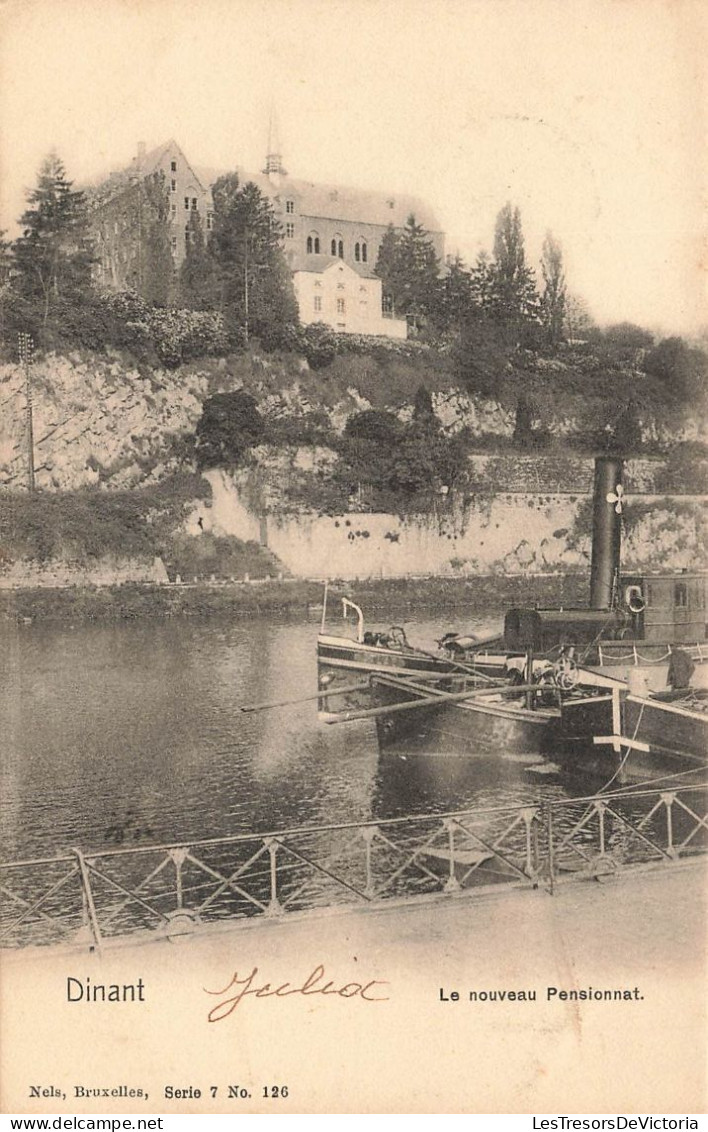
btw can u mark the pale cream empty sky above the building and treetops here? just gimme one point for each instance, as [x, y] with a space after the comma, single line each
[592, 117]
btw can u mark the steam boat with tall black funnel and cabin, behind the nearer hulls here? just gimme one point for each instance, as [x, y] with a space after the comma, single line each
[632, 629]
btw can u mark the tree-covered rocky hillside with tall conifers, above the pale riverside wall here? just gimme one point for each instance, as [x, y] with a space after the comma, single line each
[498, 361]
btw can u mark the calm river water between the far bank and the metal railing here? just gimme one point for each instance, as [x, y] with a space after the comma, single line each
[132, 734]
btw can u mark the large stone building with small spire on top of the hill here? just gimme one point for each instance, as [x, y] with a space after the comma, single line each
[331, 233]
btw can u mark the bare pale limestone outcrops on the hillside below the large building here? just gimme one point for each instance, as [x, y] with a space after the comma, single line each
[101, 422]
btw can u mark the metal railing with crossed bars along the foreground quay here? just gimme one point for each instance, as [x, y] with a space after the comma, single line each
[95, 898]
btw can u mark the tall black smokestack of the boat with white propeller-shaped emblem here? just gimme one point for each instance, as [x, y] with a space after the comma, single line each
[608, 504]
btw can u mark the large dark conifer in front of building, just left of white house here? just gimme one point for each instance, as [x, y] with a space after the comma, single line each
[255, 289]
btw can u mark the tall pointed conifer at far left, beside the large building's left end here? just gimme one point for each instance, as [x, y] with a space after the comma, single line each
[54, 256]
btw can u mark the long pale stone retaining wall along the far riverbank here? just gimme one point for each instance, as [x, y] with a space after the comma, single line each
[510, 533]
